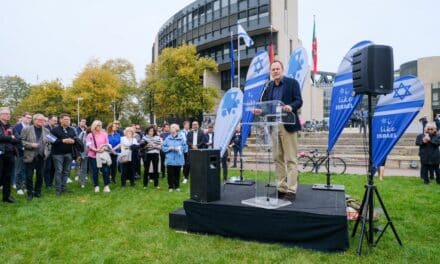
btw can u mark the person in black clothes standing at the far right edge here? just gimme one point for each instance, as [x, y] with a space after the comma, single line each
[429, 153]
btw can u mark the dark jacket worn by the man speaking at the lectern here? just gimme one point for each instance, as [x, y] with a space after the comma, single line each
[291, 96]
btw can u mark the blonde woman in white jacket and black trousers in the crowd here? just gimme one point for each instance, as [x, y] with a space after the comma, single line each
[127, 141]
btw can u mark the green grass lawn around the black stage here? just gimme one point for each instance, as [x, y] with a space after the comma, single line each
[131, 226]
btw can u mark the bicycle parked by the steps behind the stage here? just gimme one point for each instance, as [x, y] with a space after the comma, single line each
[316, 162]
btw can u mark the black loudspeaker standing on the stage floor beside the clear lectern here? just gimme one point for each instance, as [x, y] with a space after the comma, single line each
[205, 175]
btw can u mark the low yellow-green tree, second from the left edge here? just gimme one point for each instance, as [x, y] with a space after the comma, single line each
[46, 98]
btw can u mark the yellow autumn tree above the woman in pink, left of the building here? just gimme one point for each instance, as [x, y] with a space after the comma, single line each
[98, 88]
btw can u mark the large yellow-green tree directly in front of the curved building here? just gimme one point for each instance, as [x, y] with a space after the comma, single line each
[174, 84]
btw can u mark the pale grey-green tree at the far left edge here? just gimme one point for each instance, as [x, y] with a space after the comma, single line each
[12, 91]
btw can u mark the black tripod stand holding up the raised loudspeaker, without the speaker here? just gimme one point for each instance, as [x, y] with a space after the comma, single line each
[366, 212]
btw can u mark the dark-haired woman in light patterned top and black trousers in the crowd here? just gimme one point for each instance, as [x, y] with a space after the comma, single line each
[152, 144]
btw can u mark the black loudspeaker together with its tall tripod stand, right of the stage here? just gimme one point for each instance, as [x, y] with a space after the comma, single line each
[373, 74]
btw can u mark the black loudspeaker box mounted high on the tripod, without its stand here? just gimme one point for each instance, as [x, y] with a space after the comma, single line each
[373, 70]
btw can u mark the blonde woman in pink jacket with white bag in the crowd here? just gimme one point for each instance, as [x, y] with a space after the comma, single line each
[98, 154]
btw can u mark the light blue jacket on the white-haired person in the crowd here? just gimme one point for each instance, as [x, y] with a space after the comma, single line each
[174, 157]
